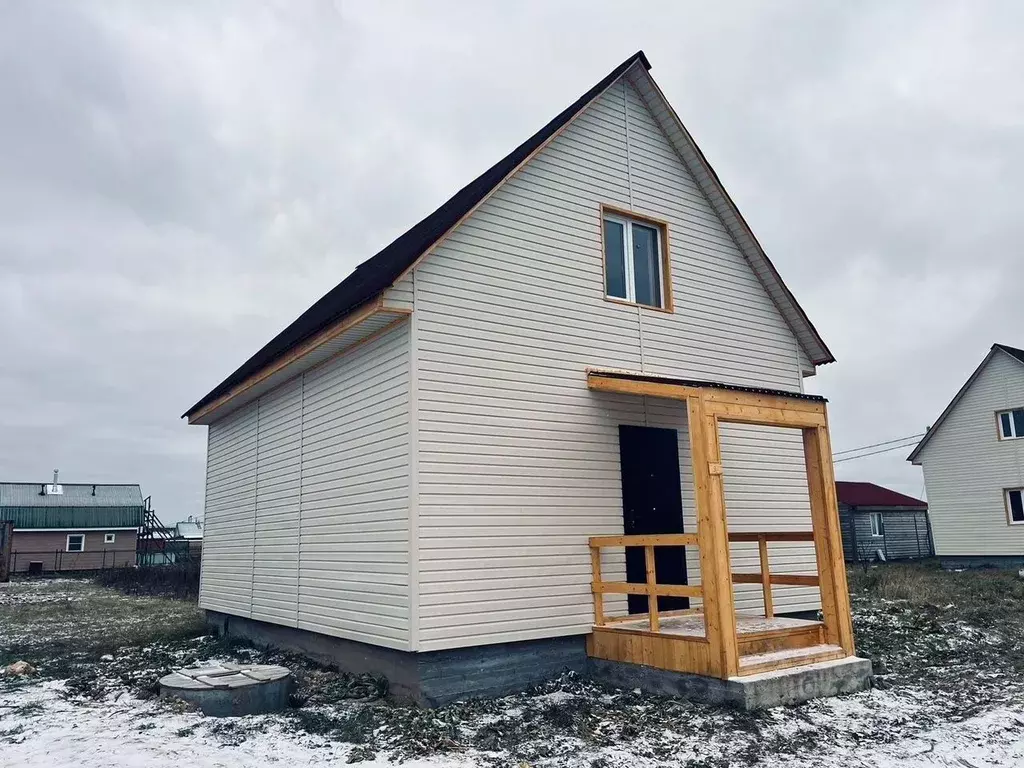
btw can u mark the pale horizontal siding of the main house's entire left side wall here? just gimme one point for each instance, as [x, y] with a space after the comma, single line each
[308, 500]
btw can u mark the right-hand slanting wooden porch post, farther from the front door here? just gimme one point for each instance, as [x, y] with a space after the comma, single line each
[828, 539]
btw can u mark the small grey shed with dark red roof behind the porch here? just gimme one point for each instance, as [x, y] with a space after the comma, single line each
[882, 525]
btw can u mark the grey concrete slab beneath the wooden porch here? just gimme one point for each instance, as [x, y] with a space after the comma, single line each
[749, 693]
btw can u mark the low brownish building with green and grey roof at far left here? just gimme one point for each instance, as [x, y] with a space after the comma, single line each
[71, 527]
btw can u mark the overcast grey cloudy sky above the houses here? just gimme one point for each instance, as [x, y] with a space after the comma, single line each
[180, 181]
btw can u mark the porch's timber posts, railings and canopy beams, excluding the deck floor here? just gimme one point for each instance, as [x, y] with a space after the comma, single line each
[718, 652]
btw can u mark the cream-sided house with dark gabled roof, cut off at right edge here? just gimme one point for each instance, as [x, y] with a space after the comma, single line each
[973, 460]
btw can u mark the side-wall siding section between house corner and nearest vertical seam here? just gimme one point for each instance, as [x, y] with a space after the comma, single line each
[355, 570]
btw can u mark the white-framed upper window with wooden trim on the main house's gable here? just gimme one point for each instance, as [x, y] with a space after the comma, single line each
[634, 262]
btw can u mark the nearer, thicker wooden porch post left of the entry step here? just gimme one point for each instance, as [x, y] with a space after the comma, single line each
[716, 576]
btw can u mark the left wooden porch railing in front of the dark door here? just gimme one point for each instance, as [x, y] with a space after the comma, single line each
[651, 588]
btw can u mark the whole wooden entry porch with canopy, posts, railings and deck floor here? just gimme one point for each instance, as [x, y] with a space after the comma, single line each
[712, 639]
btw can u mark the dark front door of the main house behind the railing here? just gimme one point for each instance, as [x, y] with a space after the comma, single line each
[653, 504]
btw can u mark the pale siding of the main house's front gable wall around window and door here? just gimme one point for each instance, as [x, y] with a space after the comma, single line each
[519, 461]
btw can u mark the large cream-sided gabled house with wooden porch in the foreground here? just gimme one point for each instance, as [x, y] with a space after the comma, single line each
[407, 478]
